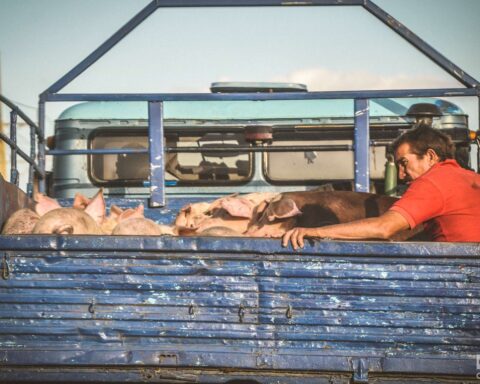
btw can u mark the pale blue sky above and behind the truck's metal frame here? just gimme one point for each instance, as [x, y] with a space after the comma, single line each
[186, 49]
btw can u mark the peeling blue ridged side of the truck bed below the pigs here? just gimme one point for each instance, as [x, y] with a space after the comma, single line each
[177, 309]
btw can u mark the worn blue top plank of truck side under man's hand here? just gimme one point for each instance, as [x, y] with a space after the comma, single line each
[235, 247]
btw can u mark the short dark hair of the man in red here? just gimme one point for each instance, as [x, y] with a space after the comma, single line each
[422, 138]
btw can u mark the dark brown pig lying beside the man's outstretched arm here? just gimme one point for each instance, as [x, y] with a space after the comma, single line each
[316, 209]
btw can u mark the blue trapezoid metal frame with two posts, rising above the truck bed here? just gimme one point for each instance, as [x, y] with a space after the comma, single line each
[155, 100]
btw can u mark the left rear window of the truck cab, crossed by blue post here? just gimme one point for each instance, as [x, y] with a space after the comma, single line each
[196, 168]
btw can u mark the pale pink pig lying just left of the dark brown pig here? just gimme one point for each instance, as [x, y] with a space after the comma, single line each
[232, 213]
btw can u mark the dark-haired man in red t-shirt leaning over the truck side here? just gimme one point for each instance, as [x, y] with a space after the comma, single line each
[442, 195]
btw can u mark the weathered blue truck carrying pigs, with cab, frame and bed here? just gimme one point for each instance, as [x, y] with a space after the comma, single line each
[232, 310]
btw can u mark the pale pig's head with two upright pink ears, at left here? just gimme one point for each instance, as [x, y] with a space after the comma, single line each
[69, 221]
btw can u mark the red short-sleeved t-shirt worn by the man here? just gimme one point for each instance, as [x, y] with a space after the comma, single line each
[447, 199]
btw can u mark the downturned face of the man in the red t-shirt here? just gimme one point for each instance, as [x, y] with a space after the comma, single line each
[411, 166]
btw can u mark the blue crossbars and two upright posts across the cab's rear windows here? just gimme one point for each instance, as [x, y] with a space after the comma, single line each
[361, 143]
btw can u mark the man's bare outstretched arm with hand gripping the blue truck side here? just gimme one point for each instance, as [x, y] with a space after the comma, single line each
[382, 227]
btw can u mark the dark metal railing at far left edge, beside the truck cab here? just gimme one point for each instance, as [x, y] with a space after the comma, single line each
[11, 141]
